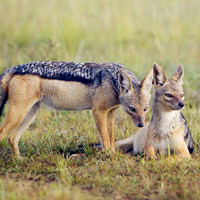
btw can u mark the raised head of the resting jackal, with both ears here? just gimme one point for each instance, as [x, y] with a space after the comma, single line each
[169, 94]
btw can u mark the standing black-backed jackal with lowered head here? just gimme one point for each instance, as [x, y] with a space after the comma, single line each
[72, 86]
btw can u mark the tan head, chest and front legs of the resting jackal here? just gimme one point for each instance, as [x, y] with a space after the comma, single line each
[168, 133]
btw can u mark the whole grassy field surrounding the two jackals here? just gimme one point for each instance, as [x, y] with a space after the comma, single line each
[133, 33]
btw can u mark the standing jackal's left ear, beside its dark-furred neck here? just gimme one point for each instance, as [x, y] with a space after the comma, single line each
[124, 82]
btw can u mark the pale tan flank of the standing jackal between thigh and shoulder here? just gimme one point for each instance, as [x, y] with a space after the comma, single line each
[66, 95]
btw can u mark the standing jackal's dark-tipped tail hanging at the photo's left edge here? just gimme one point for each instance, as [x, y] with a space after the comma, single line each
[4, 80]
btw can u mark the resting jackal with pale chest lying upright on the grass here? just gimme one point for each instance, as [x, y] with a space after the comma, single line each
[167, 130]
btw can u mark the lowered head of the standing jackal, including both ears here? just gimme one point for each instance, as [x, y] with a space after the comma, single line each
[135, 98]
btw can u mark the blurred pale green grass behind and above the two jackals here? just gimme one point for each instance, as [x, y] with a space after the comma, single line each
[133, 33]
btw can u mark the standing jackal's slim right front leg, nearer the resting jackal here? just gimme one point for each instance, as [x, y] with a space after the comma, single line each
[111, 131]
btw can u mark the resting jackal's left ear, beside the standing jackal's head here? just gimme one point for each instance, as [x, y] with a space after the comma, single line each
[159, 76]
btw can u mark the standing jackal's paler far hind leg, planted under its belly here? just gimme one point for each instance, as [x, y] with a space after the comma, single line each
[16, 134]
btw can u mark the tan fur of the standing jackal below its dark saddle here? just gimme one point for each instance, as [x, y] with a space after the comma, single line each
[27, 92]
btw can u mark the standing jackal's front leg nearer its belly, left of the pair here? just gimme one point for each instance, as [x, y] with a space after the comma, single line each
[100, 117]
